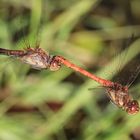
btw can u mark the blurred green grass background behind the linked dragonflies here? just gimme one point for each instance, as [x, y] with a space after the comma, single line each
[44, 105]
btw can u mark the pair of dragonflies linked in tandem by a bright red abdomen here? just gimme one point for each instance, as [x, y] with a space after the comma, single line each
[40, 59]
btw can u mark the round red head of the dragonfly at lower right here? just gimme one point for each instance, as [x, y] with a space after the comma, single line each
[132, 107]
